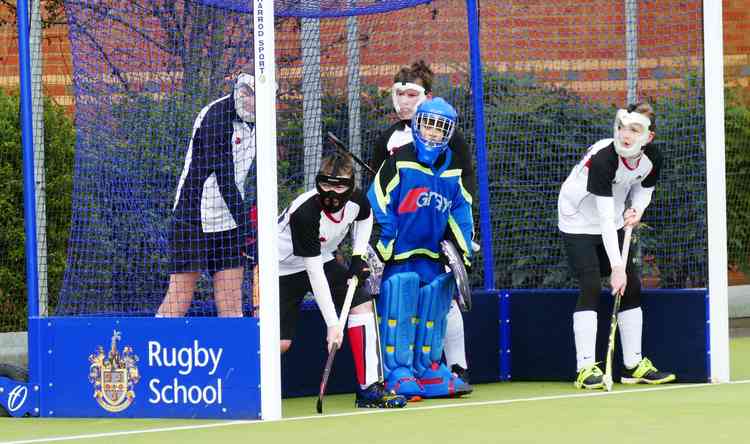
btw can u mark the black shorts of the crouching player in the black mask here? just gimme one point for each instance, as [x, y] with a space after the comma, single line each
[294, 287]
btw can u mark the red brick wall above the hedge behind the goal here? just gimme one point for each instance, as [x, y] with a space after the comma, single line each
[539, 35]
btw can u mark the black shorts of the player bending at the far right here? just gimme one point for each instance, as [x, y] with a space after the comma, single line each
[586, 254]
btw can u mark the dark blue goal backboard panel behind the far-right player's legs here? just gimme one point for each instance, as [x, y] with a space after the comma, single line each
[674, 333]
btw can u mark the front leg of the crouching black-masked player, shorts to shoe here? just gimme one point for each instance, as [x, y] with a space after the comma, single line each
[362, 331]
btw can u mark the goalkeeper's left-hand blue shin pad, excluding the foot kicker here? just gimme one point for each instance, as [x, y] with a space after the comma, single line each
[397, 305]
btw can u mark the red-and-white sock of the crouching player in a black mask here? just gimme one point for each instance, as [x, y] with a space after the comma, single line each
[363, 340]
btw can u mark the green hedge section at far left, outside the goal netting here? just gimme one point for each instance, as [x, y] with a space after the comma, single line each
[59, 140]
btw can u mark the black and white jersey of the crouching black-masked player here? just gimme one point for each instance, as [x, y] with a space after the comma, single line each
[305, 230]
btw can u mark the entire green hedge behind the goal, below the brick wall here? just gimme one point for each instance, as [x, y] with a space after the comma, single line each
[535, 134]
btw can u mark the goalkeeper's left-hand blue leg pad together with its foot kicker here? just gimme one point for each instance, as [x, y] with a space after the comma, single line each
[397, 306]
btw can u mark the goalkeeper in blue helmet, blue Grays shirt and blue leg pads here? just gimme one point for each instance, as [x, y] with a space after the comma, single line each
[418, 200]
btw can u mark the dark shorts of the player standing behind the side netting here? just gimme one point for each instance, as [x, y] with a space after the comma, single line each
[193, 250]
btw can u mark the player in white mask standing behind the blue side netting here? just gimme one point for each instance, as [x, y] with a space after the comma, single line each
[208, 225]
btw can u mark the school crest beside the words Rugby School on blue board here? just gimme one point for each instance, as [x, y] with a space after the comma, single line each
[114, 375]
